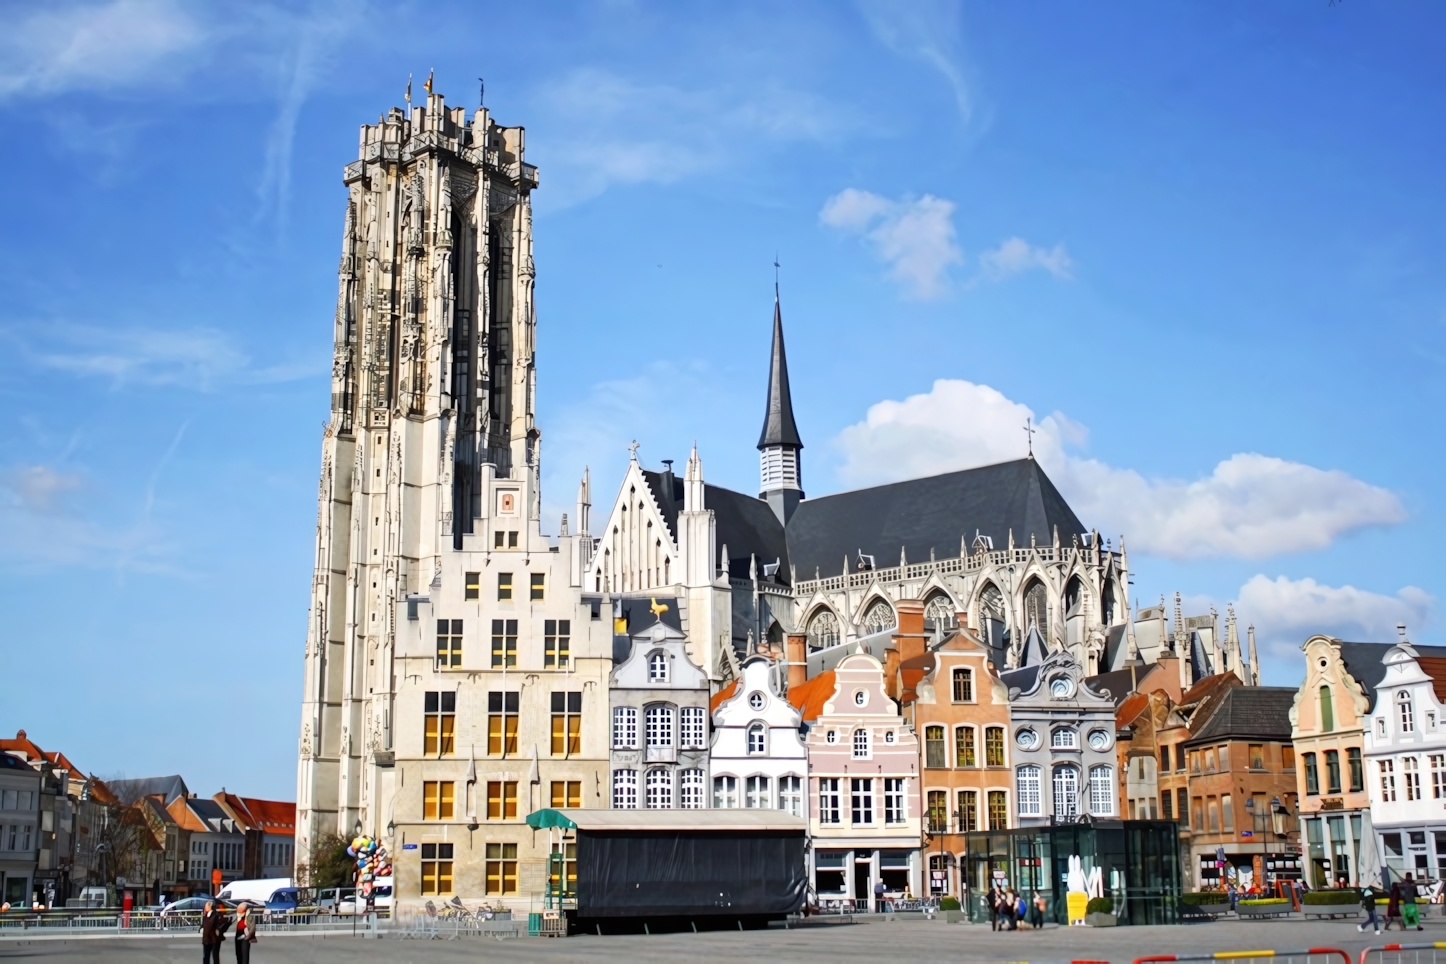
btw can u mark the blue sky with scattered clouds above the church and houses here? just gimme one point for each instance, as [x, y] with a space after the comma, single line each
[1199, 244]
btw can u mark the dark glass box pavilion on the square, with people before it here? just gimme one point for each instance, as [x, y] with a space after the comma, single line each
[1139, 861]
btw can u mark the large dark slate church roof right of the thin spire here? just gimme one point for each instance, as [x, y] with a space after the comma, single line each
[931, 514]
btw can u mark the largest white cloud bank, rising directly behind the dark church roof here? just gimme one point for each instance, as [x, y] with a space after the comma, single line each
[1250, 507]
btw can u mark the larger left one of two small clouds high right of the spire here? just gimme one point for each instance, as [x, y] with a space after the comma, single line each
[916, 238]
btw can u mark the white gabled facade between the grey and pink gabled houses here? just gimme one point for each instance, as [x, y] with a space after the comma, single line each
[758, 754]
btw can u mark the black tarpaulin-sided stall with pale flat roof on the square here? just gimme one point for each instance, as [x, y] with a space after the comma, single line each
[734, 865]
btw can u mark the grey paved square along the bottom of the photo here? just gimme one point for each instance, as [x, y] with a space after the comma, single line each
[874, 942]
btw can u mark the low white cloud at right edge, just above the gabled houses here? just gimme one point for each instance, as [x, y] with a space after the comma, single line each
[1286, 612]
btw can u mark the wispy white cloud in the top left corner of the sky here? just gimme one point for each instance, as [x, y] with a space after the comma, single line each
[51, 48]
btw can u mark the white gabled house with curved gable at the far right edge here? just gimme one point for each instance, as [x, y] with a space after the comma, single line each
[1406, 768]
